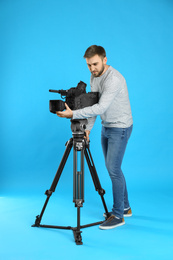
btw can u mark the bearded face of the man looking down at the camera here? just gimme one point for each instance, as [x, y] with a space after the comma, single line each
[96, 65]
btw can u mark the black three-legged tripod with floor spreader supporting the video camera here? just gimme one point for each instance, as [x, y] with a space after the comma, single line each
[80, 148]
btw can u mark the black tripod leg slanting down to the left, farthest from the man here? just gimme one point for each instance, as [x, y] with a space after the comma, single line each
[55, 181]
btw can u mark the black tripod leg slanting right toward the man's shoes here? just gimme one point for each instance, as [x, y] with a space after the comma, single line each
[94, 176]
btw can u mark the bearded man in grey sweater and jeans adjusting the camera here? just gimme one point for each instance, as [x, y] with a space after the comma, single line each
[115, 112]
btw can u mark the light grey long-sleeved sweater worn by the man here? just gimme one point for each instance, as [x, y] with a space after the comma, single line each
[114, 105]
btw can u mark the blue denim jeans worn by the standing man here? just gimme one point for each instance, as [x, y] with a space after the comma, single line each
[114, 142]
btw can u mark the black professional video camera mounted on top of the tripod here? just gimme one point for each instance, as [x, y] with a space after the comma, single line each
[75, 98]
